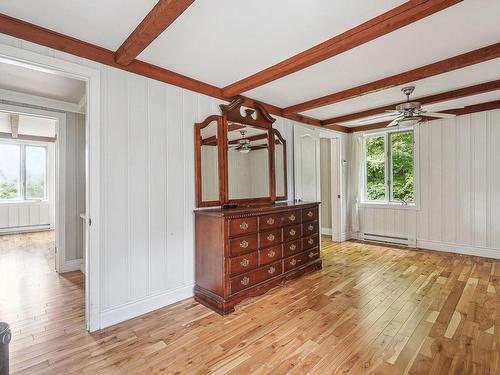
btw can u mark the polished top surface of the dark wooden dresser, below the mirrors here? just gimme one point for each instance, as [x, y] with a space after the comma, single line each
[255, 210]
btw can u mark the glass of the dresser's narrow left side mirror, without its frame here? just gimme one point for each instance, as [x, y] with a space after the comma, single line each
[209, 163]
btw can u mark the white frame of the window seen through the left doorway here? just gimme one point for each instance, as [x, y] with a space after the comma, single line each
[22, 171]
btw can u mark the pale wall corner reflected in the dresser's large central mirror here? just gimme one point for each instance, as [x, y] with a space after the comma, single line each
[248, 174]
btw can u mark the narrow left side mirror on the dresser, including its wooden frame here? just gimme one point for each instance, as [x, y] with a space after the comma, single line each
[208, 137]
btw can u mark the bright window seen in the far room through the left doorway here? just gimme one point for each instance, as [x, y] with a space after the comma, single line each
[23, 172]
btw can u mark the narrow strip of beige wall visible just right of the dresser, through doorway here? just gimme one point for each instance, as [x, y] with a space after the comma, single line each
[326, 185]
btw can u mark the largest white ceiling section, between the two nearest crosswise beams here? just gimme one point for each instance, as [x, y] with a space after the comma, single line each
[222, 41]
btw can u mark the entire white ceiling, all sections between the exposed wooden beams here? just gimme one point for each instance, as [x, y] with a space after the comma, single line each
[223, 41]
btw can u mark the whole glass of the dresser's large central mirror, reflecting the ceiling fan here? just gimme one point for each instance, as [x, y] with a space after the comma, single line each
[247, 162]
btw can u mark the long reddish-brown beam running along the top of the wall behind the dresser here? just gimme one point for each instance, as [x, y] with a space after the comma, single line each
[48, 38]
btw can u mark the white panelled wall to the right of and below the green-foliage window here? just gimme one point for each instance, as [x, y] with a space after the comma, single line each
[459, 189]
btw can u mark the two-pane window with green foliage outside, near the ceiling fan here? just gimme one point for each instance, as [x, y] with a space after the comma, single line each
[389, 168]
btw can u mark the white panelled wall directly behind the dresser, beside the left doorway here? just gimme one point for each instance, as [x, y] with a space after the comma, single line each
[147, 192]
